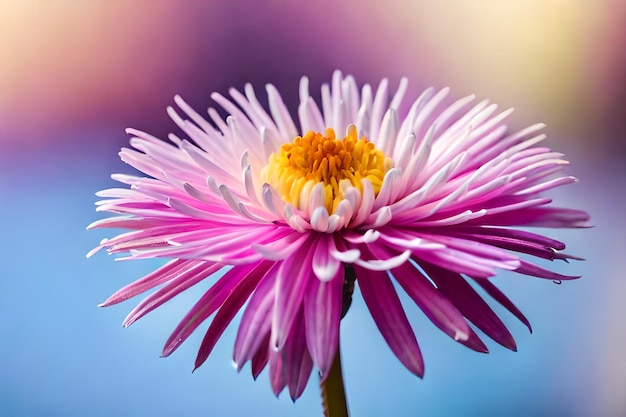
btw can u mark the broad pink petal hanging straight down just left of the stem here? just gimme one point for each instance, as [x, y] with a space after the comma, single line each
[322, 313]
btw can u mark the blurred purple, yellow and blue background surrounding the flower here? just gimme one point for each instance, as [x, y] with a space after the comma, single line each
[74, 74]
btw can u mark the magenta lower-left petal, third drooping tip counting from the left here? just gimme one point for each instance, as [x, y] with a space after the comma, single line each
[206, 305]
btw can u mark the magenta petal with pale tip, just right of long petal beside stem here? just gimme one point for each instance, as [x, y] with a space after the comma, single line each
[434, 304]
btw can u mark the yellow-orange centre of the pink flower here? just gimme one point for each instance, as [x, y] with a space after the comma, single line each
[317, 158]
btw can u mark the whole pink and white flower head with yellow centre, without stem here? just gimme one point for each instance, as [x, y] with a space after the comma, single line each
[426, 196]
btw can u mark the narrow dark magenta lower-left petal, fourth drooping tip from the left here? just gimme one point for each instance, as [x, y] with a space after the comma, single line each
[228, 310]
